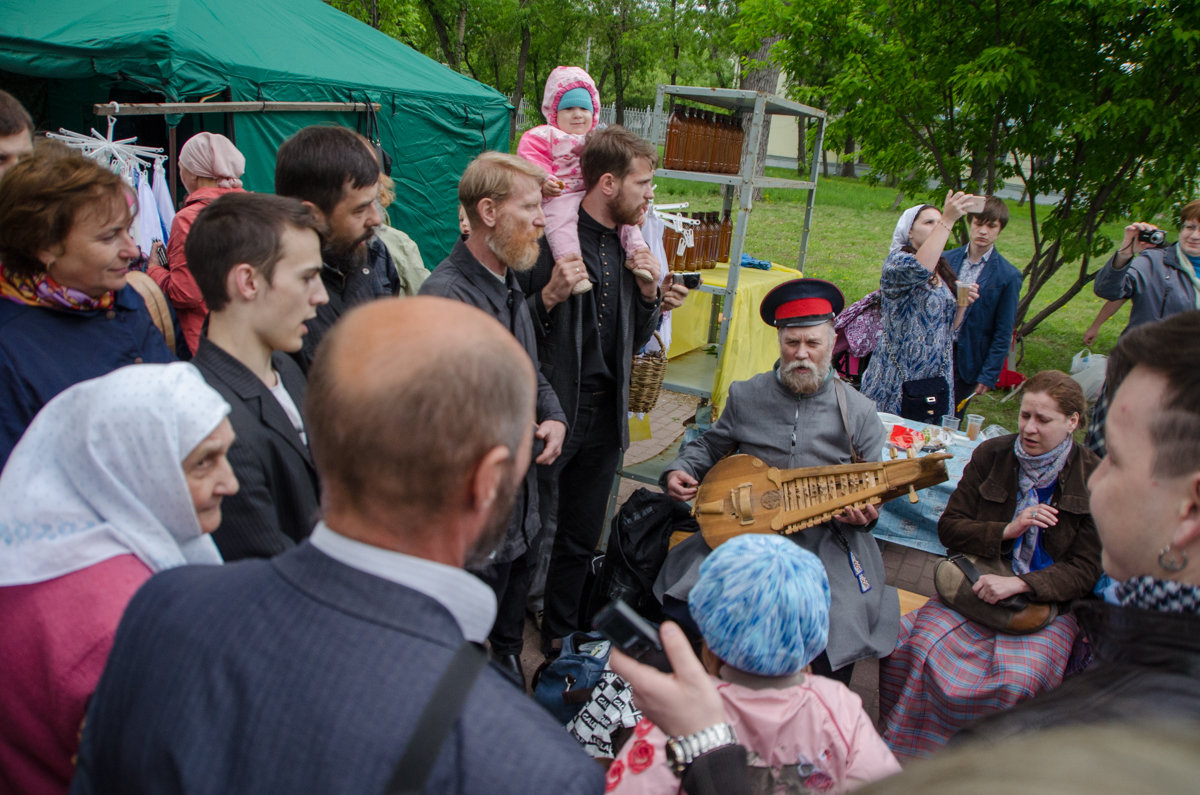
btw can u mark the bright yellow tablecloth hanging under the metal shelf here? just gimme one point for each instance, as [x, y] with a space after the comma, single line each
[752, 346]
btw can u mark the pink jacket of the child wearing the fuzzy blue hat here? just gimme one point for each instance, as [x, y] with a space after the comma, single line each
[814, 733]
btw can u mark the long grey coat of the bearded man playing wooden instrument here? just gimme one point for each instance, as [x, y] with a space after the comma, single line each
[765, 420]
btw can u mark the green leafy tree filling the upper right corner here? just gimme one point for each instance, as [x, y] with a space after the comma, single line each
[1090, 103]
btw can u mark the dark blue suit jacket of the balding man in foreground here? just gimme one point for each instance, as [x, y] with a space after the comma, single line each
[303, 676]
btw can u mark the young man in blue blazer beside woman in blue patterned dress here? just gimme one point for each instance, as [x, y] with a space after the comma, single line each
[987, 331]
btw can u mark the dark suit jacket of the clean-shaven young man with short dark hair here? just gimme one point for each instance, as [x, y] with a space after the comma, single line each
[278, 501]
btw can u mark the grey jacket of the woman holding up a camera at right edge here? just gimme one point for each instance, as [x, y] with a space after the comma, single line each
[1154, 280]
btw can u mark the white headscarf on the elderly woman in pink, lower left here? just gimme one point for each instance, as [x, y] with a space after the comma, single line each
[99, 474]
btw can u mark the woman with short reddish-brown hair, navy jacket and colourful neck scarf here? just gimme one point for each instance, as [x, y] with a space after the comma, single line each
[67, 312]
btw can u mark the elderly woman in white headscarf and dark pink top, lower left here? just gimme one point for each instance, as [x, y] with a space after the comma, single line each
[116, 480]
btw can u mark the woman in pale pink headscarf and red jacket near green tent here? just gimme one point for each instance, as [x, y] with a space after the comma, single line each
[209, 166]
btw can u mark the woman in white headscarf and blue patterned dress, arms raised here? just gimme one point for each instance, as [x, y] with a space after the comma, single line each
[919, 310]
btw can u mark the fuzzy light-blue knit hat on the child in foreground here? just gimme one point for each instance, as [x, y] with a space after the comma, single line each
[763, 605]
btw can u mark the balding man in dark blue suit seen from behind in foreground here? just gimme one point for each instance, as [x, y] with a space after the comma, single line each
[309, 673]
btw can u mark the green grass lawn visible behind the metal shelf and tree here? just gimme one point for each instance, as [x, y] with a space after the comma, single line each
[853, 228]
